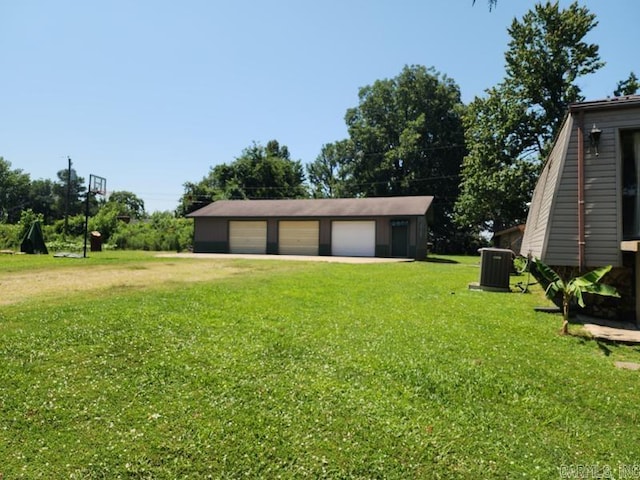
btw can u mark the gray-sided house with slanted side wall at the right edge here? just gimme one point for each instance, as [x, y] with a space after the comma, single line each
[585, 210]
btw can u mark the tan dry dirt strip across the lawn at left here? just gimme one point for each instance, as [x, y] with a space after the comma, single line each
[21, 287]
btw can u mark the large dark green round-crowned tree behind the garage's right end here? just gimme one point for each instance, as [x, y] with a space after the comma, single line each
[408, 139]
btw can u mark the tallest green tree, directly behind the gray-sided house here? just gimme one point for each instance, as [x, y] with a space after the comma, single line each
[511, 130]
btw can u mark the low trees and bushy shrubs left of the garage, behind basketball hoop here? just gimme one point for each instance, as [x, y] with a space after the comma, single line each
[61, 207]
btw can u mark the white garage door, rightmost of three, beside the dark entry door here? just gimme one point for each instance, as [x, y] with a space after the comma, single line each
[353, 238]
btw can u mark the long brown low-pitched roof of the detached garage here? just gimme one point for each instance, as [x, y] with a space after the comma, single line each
[326, 207]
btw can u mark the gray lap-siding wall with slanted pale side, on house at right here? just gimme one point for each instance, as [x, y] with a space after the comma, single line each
[553, 232]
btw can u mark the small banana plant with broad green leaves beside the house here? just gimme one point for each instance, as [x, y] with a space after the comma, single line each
[574, 288]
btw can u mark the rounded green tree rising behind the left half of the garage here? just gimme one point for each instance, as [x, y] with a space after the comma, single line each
[260, 172]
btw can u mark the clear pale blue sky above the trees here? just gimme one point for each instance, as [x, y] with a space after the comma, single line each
[152, 93]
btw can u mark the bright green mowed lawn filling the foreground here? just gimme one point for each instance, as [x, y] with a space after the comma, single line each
[307, 370]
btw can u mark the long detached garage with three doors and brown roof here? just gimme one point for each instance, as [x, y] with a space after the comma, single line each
[365, 227]
